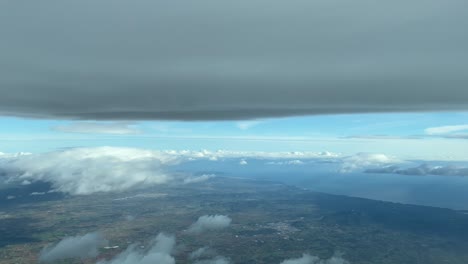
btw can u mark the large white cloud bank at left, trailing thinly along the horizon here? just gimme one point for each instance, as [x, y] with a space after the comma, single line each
[81, 171]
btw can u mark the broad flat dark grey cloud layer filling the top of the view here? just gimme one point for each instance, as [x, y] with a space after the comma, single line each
[219, 59]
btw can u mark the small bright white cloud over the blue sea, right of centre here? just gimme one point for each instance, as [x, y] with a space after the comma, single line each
[364, 160]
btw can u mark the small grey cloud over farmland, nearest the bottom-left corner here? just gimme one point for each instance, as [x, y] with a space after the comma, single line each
[86, 246]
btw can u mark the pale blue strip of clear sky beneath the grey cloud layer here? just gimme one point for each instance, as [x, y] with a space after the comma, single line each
[402, 134]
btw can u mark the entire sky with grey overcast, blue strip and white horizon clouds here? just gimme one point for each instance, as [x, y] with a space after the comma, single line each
[93, 87]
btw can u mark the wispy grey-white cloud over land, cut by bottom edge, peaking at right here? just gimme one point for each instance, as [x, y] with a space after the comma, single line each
[159, 252]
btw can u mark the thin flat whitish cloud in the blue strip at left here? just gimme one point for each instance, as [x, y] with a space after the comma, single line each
[117, 128]
